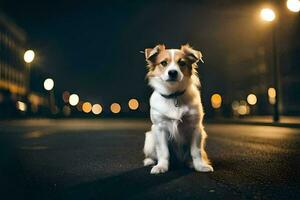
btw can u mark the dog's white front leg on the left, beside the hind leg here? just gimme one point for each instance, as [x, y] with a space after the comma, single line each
[162, 150]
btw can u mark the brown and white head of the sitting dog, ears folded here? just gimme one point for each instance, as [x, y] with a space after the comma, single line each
[171, 70]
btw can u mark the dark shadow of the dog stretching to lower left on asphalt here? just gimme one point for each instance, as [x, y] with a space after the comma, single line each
[123, 185]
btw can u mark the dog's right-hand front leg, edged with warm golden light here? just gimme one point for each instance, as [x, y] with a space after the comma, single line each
[200, 161]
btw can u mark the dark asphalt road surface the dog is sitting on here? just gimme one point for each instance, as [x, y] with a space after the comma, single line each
[102, 159]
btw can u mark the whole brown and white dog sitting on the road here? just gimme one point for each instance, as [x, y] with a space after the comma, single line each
[176, 110]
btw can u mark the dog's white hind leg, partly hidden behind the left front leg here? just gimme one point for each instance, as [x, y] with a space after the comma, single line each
[149, 149]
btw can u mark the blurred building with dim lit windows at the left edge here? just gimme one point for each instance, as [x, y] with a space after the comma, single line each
[15, 97]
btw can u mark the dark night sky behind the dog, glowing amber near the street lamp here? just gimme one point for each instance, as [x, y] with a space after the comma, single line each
[92, 48]
